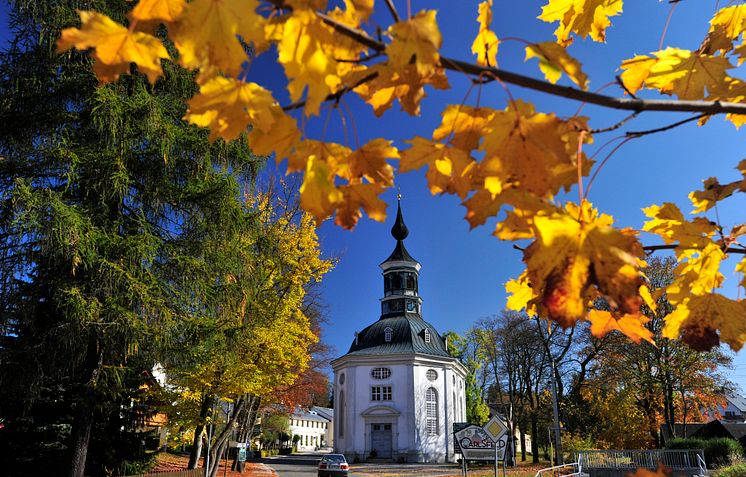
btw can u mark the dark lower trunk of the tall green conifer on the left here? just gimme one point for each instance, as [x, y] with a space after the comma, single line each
[83, 421]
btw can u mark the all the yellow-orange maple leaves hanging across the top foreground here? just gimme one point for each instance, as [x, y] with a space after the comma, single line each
[513, 161]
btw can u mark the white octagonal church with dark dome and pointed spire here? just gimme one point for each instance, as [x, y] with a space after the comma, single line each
[397, 391]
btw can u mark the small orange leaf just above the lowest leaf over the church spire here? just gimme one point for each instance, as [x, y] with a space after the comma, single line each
[369, 162]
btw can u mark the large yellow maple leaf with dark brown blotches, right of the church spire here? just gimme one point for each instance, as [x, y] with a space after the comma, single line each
[576, 252]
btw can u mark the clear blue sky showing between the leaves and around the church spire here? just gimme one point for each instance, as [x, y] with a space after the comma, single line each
[463, 272]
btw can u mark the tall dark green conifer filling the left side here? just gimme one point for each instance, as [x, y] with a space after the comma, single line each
[106, 200]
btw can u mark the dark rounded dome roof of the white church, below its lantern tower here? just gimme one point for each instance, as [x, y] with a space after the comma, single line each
[408, 336]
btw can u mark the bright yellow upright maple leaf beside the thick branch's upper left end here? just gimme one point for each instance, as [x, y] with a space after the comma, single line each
[306, 52]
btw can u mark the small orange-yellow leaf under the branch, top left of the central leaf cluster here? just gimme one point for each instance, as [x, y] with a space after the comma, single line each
[463, 125]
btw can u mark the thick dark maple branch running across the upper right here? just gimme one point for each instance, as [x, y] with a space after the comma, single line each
[569, 92]
